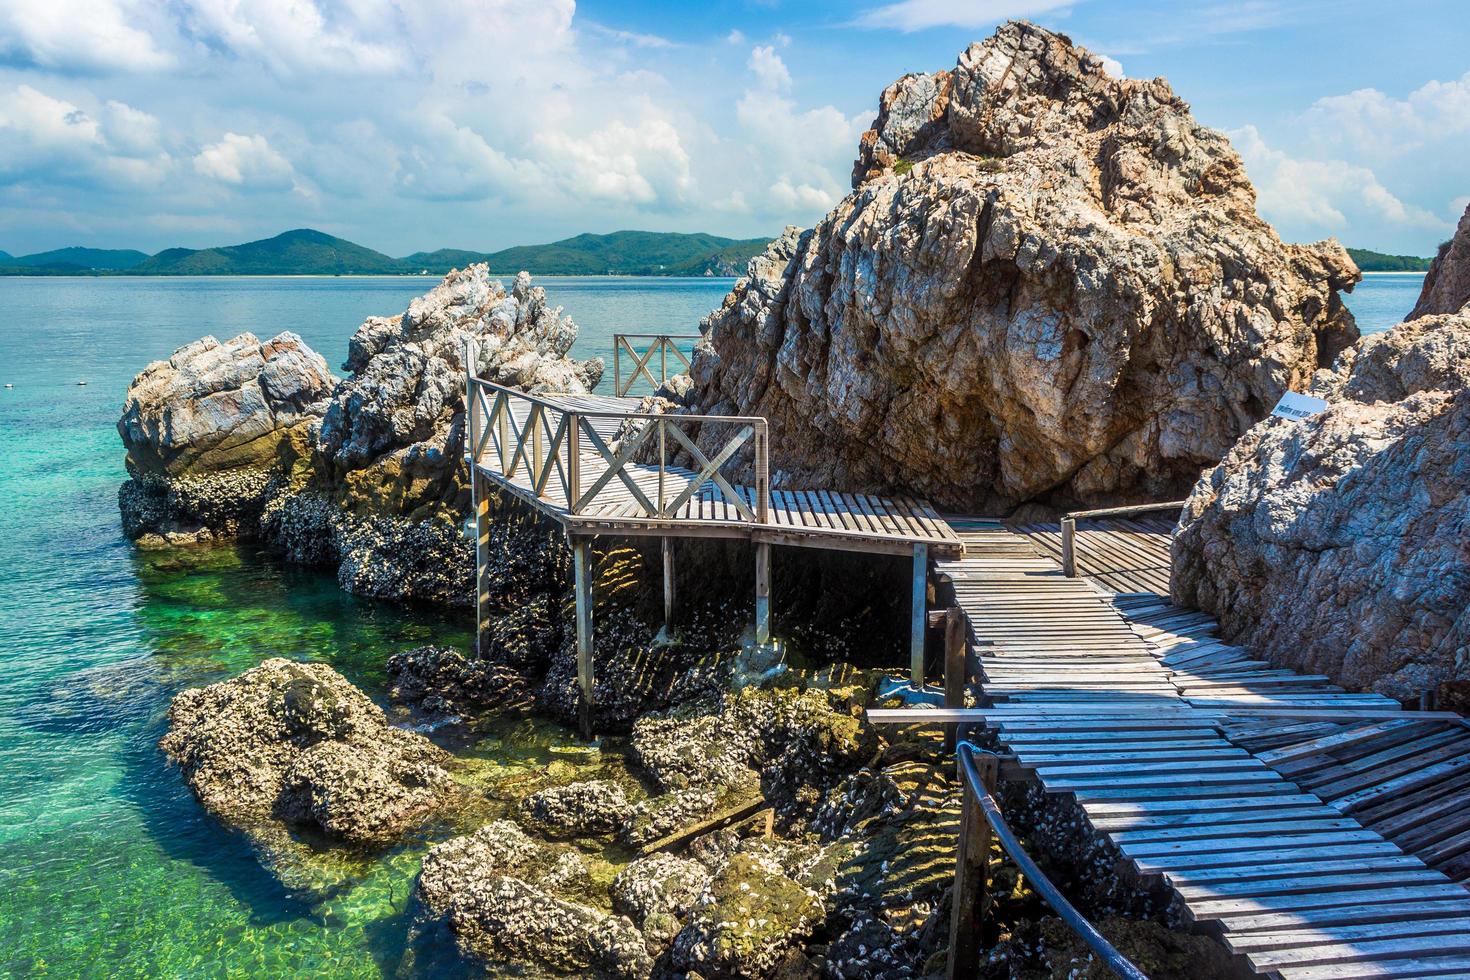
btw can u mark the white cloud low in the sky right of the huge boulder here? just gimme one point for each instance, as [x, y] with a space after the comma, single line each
[1315, 199]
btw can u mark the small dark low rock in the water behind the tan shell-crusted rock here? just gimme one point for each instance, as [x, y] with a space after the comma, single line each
[443, 684]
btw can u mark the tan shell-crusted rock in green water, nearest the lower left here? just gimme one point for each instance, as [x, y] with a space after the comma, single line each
[292, 747]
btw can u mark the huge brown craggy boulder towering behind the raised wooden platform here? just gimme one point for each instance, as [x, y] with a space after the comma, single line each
[1046, 284]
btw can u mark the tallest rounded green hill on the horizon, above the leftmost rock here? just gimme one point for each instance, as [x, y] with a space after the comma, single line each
[302, 253]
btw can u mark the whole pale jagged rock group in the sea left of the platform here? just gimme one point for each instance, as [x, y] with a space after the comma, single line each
[364, 474]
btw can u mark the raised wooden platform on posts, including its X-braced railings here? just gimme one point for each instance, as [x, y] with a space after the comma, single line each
[602, 465]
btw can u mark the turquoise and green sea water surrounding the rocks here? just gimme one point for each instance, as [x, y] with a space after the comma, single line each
[108, 866]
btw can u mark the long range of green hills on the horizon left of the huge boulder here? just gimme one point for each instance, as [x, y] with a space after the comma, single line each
[311, 253]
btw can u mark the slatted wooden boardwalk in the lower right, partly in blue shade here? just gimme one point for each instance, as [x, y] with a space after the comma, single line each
[1265, 800]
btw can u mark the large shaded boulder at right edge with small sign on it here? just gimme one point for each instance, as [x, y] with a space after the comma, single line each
[1341, 544]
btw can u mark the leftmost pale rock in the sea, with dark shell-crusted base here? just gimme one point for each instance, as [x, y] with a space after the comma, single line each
[212, 431]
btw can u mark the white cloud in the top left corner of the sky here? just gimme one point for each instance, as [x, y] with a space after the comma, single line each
[83, 36]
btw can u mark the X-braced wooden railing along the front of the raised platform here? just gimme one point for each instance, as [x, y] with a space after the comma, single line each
[556, 452]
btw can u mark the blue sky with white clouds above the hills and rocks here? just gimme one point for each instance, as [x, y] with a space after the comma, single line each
[480, 124]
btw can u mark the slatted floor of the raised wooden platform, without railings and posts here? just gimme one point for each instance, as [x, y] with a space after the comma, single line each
[805, 518]
